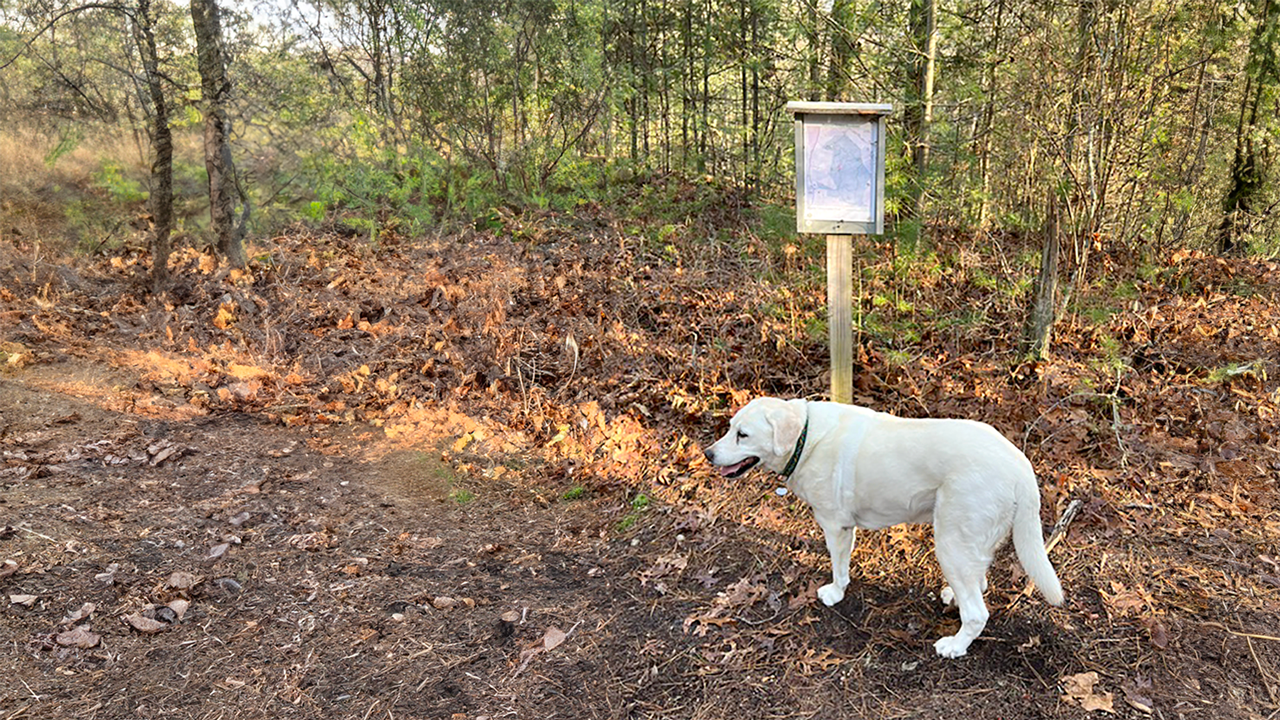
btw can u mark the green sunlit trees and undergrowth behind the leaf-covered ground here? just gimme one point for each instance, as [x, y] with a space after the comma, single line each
[1153, 124]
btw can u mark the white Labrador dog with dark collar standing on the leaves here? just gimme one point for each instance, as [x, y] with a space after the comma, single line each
[858, 468]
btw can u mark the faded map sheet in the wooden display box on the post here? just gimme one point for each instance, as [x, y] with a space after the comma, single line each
[840, 170]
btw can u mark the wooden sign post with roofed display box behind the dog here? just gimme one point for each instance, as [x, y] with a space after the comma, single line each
[840, 193]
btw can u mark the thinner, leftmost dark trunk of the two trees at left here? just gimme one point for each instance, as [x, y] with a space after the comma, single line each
[162, 149]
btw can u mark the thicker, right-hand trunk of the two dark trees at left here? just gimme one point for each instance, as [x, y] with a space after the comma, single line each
[216, 89]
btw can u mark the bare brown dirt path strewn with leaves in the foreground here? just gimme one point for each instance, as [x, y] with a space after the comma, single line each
[351, 582]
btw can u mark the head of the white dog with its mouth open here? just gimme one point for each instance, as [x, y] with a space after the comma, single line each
[765, 432]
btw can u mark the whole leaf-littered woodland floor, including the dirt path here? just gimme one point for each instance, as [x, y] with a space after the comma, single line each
[460, 477]
